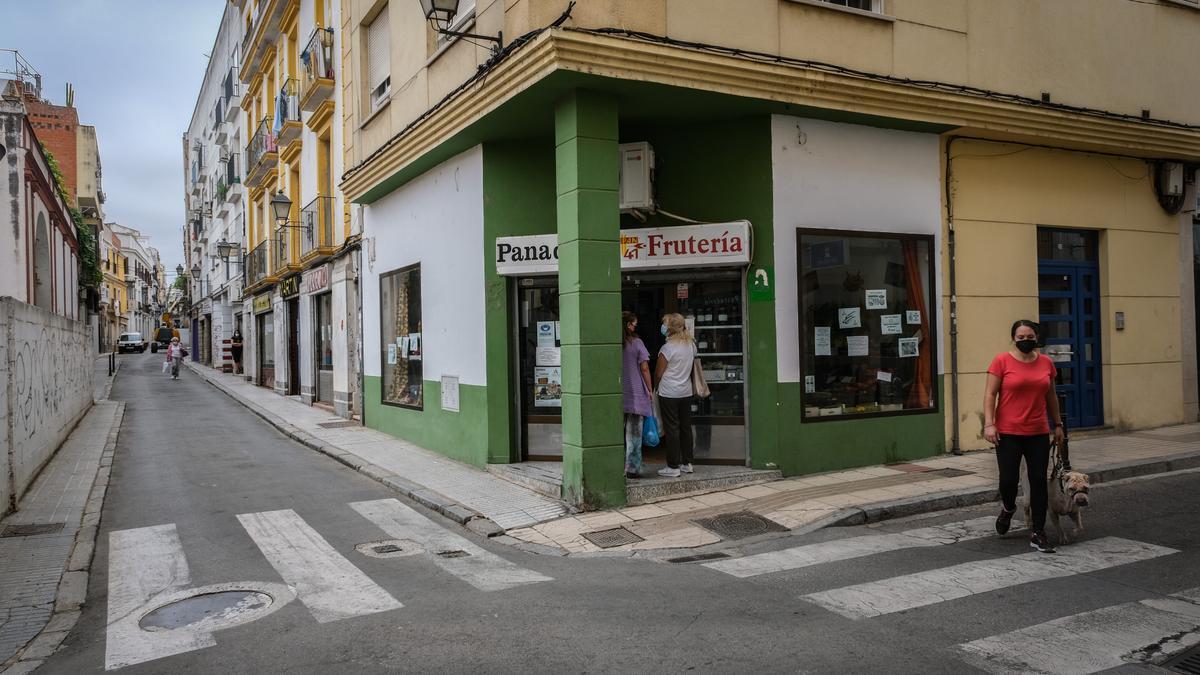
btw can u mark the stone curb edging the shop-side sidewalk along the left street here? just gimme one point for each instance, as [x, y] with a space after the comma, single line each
[415, 492]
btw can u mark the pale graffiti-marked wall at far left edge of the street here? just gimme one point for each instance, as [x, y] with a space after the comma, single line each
[46, 391]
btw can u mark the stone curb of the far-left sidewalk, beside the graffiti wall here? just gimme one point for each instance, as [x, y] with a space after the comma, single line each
[73, 592]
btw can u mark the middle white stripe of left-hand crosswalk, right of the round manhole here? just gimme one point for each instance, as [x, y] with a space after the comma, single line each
[328, 584]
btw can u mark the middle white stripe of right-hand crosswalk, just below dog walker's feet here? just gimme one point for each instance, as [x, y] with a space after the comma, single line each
[910, 592]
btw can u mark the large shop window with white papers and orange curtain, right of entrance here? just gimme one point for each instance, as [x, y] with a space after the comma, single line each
[867, 331]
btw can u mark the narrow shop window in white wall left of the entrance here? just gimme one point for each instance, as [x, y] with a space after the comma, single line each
[401, 344]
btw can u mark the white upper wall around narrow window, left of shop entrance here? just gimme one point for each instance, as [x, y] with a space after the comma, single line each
[439, 222]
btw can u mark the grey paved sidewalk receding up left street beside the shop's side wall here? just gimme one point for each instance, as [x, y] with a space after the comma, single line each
[463, 493]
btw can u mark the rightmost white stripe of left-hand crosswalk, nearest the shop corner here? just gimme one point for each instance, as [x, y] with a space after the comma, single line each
[481, 569]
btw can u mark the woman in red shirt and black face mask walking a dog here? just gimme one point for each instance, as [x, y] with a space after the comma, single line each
[1019, 393]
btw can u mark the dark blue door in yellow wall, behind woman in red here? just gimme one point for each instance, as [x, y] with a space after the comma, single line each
[1070, 312]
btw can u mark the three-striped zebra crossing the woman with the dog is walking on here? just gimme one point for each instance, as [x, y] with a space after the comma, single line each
[1090, 642]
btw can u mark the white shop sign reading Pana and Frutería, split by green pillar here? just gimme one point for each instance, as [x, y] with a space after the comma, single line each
[651, 248]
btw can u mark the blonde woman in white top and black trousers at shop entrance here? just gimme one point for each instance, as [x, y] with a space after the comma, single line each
[674, 375]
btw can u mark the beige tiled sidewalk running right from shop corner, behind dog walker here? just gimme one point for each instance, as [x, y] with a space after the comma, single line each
[851, 498]
